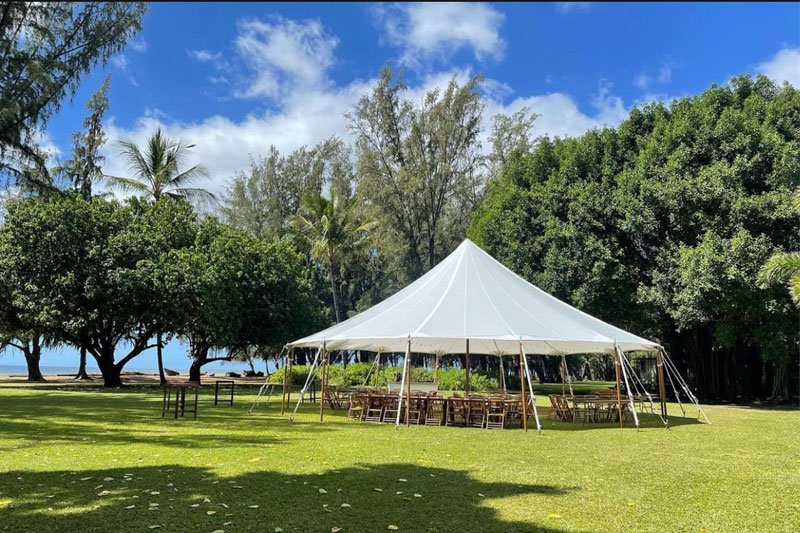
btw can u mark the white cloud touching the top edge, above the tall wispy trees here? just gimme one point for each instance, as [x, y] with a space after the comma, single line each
[435, 31]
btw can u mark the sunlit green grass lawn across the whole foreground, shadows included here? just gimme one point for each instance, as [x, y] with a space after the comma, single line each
[58, 447]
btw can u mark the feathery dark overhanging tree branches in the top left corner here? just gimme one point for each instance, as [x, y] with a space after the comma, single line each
[46, 49]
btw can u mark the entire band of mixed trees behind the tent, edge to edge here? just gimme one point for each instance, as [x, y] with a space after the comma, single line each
[662, 225]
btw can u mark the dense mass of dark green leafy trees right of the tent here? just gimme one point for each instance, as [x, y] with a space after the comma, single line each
[661, 226]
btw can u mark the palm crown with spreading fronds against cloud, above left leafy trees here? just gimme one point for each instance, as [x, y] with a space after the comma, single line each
[156, 171]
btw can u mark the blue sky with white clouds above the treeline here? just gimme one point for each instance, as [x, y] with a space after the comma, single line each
[235, 78]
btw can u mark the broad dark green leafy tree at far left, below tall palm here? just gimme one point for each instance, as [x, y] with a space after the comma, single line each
[73, 271]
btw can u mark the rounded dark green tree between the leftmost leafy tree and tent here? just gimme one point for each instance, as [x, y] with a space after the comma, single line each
[230, 293]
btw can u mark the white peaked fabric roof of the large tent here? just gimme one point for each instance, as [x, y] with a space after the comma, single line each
[470, 295]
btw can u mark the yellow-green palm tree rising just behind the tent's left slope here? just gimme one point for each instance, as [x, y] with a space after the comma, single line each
[332, 230]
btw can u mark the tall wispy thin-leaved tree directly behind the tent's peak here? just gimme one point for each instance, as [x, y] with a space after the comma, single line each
[420, 167]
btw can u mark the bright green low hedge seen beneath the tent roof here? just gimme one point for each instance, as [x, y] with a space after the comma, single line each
[354, 374]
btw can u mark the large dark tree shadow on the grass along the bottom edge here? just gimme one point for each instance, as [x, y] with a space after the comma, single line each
[412, 497]
